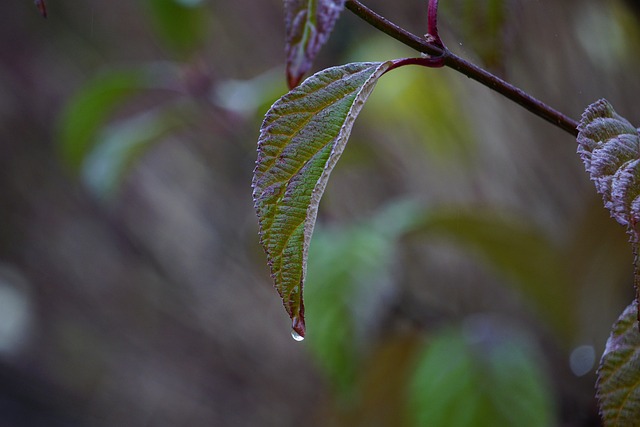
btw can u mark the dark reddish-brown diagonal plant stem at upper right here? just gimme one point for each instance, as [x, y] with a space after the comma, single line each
[470, 70]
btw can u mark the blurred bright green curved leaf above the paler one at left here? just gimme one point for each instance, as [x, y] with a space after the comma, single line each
[89, 109]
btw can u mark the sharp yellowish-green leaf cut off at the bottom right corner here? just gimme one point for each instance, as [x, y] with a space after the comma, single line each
[619, 372]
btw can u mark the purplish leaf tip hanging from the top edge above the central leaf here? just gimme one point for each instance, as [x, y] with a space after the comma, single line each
[308, 24]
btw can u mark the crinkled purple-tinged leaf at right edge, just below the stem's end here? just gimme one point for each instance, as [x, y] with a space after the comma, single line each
[610, 148]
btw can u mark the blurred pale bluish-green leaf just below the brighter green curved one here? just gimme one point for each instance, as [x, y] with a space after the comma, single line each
[120, 144]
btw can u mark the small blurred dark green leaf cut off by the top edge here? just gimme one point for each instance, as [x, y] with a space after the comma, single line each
[180, 23]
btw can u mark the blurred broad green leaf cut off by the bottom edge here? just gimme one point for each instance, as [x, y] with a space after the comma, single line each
[483, 374]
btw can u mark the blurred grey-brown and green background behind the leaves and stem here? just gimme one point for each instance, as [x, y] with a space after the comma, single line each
[463, 271]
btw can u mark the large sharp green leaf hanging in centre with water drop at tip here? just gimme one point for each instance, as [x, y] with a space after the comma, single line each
[301, 139]
